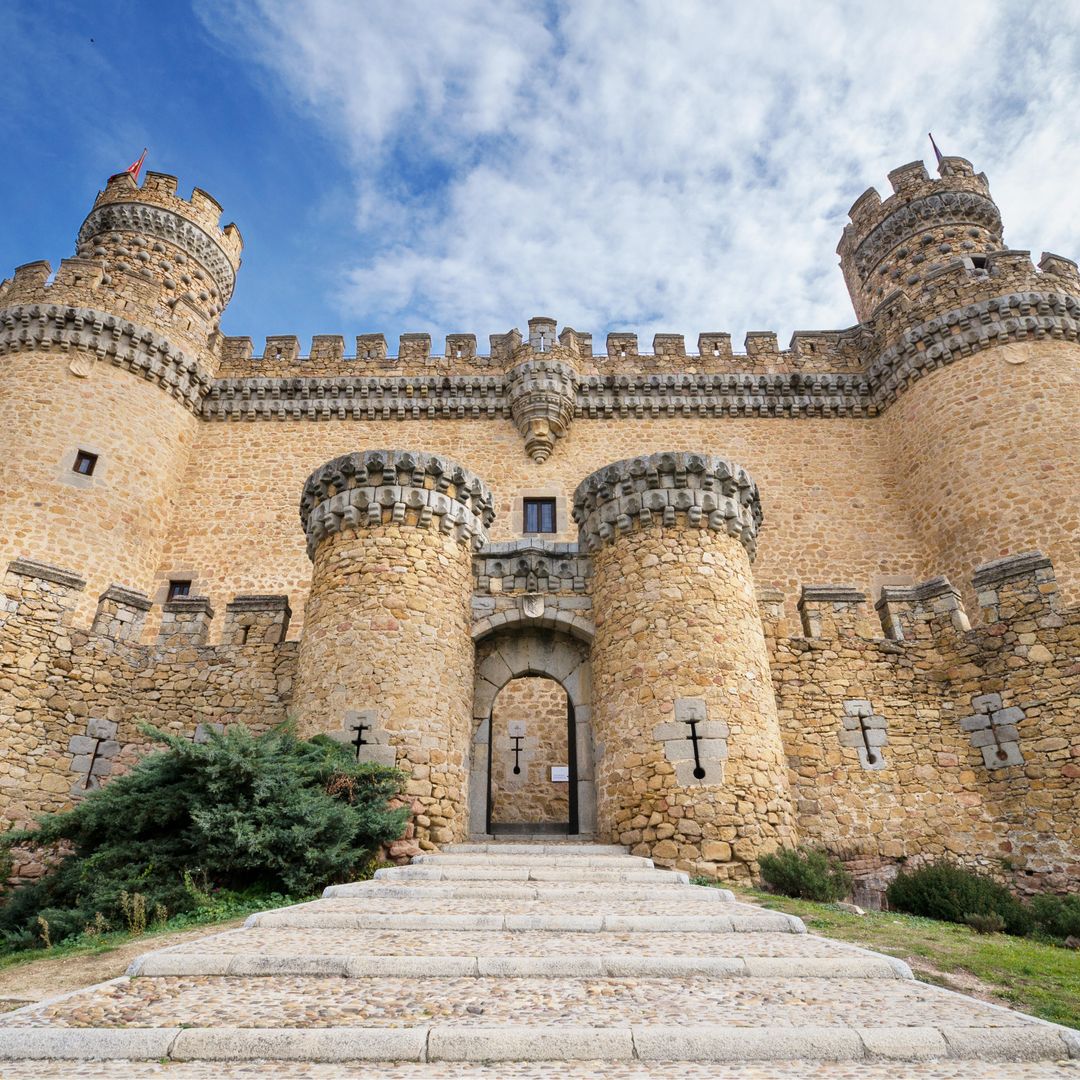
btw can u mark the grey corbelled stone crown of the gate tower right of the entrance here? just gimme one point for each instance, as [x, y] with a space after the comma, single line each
[700, 491]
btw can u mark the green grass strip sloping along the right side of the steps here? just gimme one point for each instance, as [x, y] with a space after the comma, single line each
[1035, 977]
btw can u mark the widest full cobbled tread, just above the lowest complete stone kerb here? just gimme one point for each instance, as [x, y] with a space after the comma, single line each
[293, 1002]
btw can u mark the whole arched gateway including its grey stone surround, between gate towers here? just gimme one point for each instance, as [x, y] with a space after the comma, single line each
[532, 656]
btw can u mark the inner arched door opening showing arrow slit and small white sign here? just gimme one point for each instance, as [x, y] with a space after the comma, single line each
[532, 773]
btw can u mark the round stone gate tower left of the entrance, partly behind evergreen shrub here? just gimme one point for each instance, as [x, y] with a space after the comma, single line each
[386, 655]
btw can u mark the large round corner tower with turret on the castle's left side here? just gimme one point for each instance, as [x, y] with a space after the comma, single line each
[103, 371]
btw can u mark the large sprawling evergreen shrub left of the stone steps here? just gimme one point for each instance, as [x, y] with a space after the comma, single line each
[245, 814]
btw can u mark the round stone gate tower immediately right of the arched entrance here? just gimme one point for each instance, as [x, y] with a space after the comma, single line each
[680, 661]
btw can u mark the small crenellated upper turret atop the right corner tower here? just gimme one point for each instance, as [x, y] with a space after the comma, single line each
[892, 246]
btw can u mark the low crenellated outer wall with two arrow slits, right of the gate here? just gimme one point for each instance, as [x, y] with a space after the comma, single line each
[946, 741]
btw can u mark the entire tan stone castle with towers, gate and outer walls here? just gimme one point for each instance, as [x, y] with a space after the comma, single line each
[703, 604]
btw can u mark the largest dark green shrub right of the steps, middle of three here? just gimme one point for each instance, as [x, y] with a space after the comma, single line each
[944, 890]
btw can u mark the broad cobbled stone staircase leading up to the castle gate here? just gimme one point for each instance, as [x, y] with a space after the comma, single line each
[517, 960]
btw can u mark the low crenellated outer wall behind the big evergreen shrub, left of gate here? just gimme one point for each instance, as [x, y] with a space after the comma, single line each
[72, 698]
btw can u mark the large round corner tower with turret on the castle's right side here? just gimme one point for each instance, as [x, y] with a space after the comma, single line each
[977, 369]
